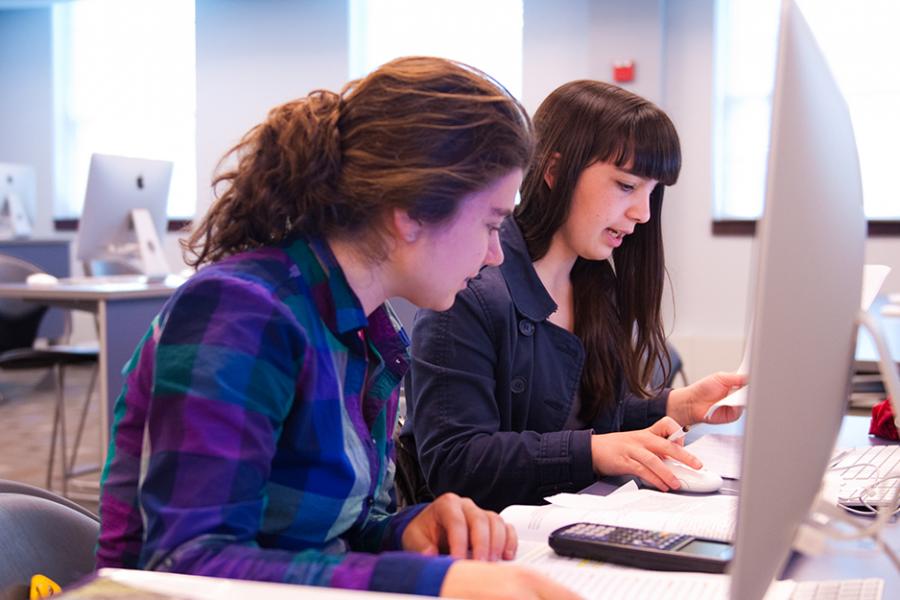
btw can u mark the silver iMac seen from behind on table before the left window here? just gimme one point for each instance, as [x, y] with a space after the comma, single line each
[124, 214]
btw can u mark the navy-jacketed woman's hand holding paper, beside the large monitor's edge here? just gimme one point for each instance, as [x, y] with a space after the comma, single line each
[688, 405]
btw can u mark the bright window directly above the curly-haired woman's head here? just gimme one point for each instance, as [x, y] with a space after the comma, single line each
[487, 35]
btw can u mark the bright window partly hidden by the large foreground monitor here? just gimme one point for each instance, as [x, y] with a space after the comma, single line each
[858, 40]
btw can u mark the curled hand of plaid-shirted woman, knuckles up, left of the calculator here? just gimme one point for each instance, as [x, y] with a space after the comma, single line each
[456, 526]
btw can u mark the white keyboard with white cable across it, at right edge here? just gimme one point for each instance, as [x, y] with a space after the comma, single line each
[861, 468]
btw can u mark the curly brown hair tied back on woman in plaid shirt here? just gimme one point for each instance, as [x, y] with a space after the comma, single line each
[416, 134]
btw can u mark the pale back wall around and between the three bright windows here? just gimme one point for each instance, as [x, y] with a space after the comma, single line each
[253, 54]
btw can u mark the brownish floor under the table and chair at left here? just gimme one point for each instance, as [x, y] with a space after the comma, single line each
[26, 421]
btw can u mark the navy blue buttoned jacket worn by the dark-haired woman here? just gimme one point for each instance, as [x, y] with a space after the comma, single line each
[492, 385]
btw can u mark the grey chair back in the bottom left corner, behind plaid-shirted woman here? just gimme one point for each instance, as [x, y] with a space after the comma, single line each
[45, 535]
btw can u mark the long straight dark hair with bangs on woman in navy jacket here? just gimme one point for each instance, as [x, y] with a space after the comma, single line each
[617, 301]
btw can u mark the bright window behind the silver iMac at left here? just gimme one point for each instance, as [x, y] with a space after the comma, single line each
[125, 84]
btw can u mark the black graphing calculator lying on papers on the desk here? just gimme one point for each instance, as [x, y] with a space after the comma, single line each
[642, 548]
